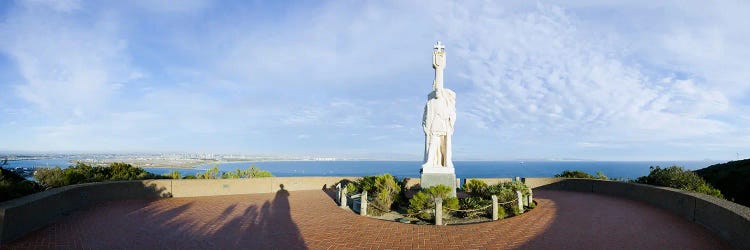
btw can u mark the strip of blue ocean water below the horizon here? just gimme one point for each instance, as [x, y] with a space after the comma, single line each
[464, 169]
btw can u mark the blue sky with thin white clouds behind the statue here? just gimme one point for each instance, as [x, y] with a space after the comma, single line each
[629, 80]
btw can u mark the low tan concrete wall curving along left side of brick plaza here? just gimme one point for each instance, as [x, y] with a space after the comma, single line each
[26, 214]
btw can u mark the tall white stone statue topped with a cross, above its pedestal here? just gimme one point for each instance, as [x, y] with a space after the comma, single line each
[439, 117]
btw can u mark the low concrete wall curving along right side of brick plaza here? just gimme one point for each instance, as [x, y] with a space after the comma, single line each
[729, 220]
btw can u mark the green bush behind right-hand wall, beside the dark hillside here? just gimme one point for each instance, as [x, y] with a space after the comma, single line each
[677, 177]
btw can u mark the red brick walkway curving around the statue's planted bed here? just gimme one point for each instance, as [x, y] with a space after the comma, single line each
[310, 219]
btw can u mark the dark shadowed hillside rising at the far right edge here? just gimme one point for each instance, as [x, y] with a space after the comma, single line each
[732, 178]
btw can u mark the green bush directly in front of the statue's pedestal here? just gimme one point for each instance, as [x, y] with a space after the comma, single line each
[423, 202]
